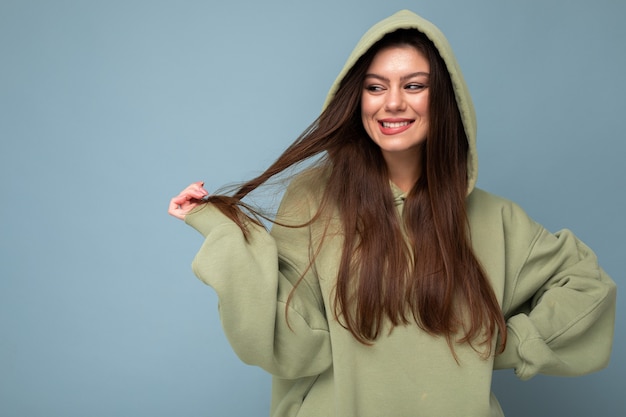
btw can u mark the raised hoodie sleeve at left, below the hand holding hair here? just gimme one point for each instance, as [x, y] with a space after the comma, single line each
[253, 280]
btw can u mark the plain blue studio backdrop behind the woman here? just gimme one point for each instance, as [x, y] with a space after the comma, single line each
[109, 108]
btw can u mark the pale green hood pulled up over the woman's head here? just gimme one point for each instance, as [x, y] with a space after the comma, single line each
[406, 19]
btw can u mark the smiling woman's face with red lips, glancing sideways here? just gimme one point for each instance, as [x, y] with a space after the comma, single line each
[394, 103]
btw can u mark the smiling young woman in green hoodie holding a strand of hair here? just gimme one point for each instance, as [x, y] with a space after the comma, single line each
[390, 285]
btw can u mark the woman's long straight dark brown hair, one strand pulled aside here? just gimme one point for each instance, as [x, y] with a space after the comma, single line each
[428, 273]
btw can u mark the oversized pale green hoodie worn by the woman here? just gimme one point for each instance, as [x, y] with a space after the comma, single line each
[558, 303]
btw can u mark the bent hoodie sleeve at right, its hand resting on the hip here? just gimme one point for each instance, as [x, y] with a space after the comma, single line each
[558, 303]
